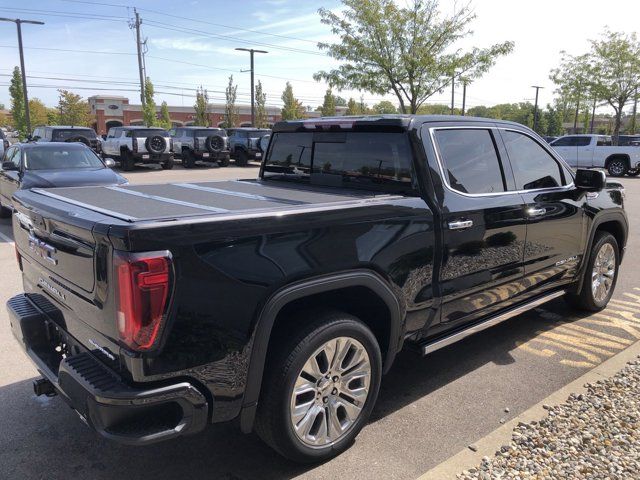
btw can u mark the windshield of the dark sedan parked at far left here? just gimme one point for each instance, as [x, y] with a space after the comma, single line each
[47, 158]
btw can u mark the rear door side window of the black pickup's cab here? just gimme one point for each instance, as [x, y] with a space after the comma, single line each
[470, 160]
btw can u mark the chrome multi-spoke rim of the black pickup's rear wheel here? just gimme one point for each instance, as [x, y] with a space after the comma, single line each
[330, 392]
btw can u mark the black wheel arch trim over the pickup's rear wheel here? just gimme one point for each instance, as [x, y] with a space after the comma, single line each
[299, 291]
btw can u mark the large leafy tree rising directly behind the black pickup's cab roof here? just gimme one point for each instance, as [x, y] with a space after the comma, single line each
[409, 51]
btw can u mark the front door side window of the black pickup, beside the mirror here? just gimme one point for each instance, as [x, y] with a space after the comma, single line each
[533, 167]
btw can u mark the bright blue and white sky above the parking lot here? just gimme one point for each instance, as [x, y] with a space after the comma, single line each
[87, 46]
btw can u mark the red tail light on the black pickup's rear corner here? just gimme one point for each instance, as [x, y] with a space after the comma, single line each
[144, 283]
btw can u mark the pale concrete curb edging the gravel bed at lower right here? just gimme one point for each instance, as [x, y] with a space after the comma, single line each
[492, 442]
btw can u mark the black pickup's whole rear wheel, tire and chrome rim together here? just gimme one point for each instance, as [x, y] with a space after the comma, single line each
[275, 421]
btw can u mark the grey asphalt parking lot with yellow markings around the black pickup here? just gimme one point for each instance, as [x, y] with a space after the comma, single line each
[429, 408]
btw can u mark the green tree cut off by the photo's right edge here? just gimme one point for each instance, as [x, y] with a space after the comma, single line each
[616, 71]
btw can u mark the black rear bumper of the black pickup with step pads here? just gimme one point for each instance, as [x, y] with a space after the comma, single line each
[125, 413]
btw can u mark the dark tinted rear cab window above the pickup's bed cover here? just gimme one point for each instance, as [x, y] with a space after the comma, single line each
[350, 159]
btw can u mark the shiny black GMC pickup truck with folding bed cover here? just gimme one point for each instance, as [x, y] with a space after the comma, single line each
[155, 310]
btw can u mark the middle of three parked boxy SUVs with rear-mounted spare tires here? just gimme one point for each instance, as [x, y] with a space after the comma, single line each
[192, 144]
